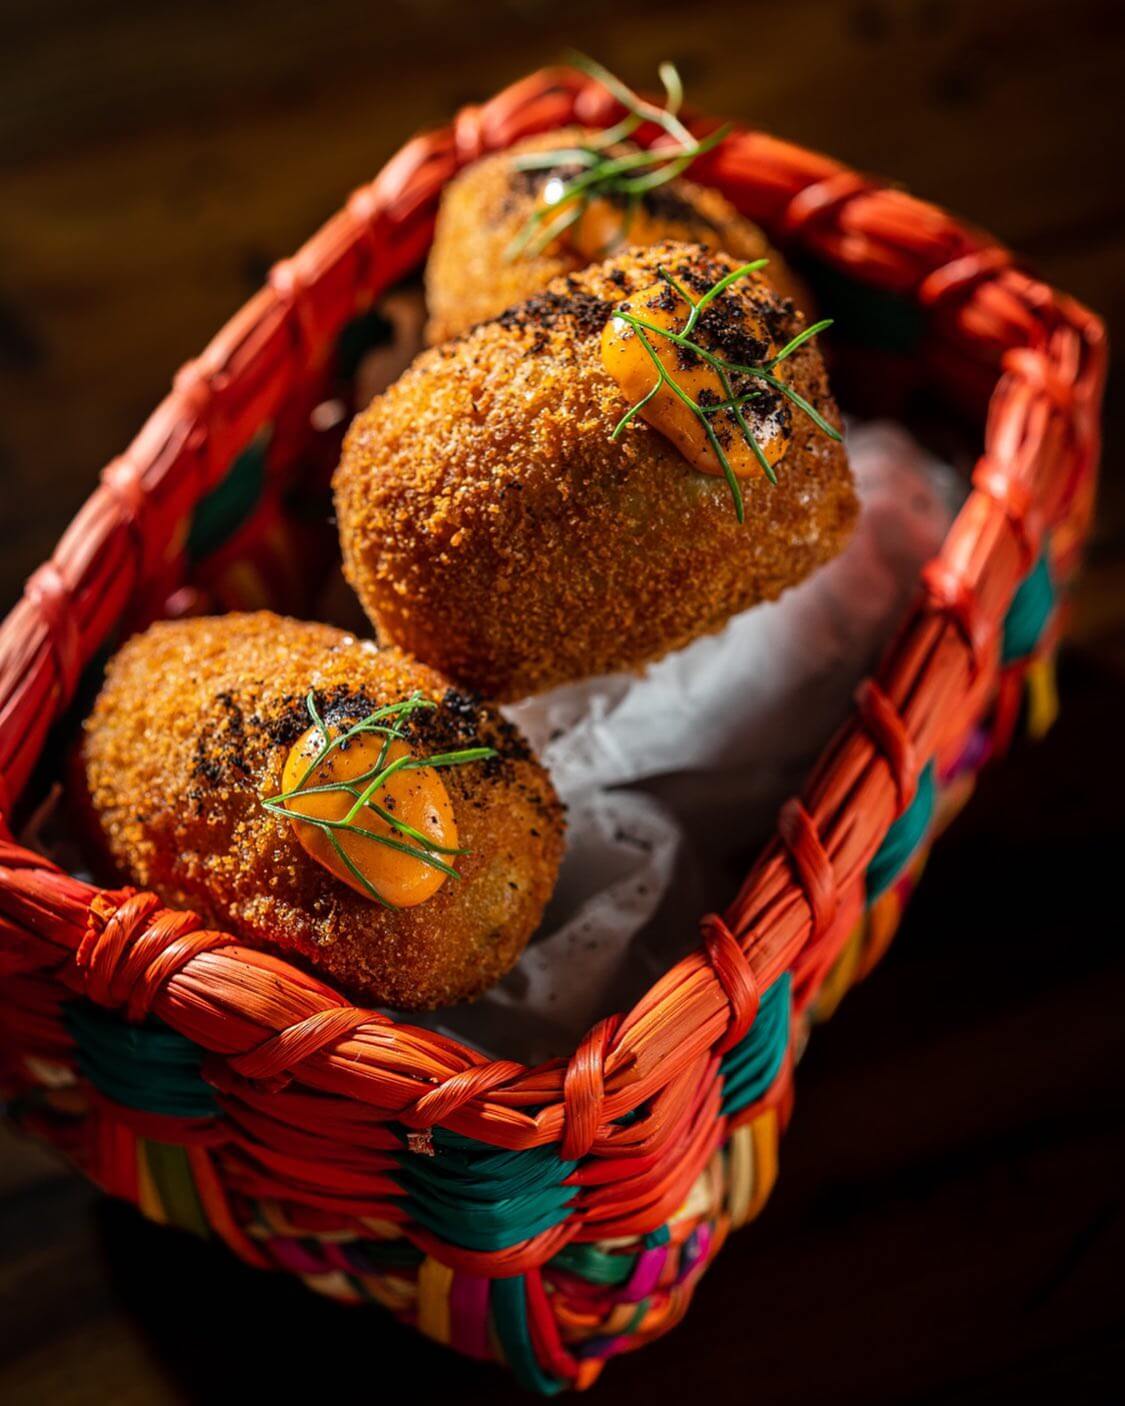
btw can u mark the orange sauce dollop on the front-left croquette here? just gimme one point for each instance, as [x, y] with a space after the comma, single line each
[416, 798]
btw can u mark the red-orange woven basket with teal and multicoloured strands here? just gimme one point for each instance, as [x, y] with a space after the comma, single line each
[546, 1217]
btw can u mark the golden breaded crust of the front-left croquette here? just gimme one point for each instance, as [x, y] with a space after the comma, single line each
[192, 730]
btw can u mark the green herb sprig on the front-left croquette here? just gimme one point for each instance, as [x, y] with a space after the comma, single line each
[386, 723]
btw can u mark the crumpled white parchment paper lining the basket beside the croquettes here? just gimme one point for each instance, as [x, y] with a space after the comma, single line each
[673, 778]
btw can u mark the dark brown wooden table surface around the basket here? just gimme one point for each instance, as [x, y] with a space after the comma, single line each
[950, 1221]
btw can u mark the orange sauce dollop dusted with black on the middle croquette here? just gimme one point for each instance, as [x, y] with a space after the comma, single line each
[629, 363]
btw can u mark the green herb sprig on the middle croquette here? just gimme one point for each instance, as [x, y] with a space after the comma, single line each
[724, 369]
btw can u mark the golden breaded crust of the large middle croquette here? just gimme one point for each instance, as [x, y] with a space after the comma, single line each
[493, 528]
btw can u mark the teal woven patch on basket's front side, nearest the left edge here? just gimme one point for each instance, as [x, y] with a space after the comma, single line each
[148, 1066]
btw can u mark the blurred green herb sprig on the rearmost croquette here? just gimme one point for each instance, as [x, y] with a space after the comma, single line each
[604, 174]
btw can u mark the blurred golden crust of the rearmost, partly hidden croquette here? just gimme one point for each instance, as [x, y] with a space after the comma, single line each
[470, 279]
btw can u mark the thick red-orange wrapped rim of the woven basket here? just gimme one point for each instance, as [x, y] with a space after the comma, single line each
[124, 950]
